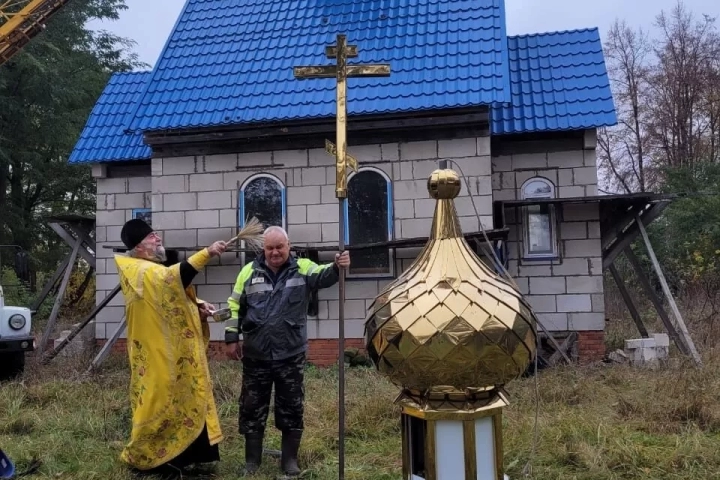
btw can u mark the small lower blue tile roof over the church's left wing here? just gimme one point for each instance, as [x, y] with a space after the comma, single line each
[104, 139]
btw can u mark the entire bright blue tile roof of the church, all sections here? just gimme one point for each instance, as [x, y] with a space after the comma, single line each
[231, 62]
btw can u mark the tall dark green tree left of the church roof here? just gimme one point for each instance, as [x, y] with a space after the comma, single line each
[46, 94]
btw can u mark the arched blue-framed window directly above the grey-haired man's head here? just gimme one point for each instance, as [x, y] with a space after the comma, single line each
[262, 196]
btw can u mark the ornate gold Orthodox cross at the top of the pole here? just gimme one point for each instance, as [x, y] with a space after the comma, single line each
[341, 71]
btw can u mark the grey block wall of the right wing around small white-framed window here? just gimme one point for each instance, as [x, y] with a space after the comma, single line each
[566, 293]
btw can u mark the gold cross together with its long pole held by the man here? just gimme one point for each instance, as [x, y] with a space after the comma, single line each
[341, 71]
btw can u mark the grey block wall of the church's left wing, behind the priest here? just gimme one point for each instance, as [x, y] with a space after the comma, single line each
[116, 200]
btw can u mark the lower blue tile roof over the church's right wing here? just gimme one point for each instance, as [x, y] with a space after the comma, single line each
[559, 82]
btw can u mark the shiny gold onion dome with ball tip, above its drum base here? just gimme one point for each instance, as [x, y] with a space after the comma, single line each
[449, 327]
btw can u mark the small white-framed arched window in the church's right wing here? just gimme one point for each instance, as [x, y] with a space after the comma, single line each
[539, 232]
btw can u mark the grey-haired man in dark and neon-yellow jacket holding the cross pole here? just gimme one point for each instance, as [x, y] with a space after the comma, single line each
[269, 306]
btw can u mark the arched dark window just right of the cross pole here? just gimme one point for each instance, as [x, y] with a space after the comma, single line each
[369, 219]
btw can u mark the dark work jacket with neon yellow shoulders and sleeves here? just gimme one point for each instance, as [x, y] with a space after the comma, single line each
[271, 311]
